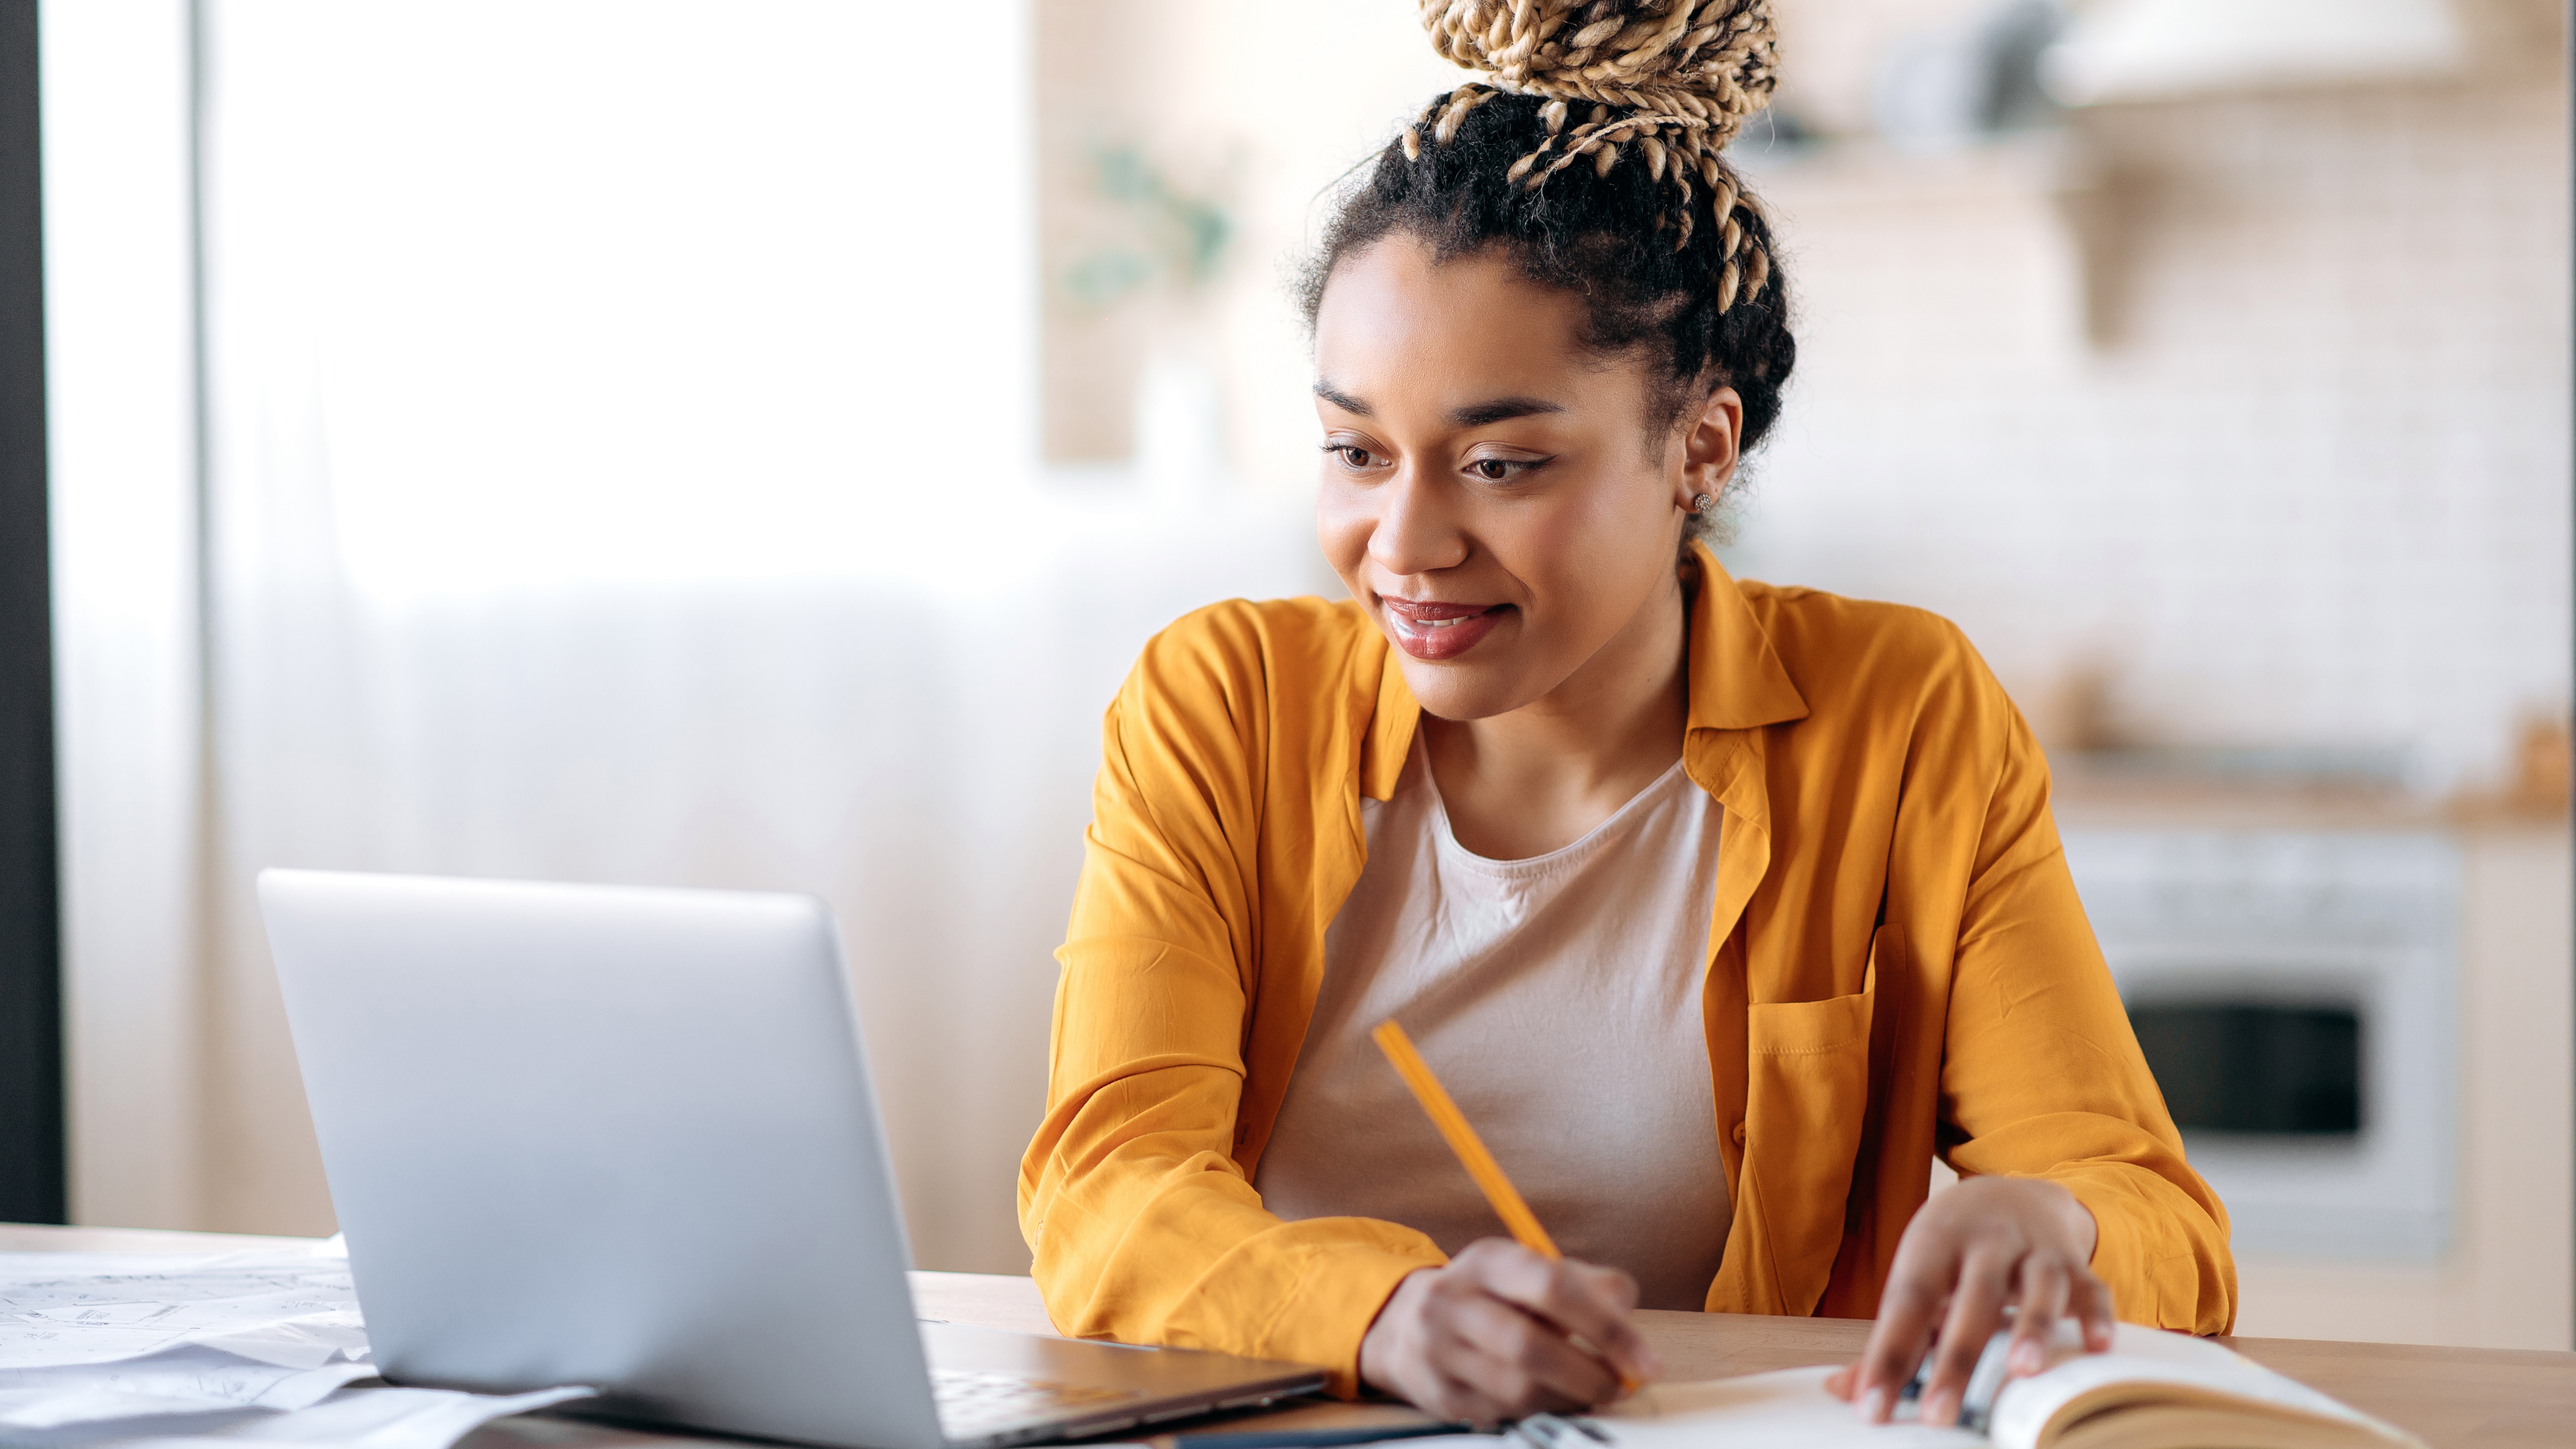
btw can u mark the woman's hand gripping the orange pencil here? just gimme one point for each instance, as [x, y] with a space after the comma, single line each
[1501, 1334]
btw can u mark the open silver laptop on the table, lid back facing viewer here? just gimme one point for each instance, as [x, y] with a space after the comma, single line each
[625, 1138]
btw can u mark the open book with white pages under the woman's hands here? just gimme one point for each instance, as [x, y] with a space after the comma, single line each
[2152, 1391]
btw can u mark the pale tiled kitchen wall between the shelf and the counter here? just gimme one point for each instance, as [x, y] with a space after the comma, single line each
[2309, 478]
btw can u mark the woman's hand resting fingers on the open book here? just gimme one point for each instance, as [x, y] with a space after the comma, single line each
[1969, 1254]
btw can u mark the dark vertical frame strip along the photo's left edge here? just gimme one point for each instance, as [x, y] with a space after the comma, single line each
[32, 1102]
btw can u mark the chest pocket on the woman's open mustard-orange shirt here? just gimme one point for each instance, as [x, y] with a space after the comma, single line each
[1807, 1105]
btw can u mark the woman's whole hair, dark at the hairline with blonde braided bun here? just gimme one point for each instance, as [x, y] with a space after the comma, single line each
[1671, 251]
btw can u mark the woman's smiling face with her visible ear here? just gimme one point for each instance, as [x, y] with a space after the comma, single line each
[1490, 489]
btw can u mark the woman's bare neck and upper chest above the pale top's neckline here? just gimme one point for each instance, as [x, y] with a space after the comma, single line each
[1544, 775]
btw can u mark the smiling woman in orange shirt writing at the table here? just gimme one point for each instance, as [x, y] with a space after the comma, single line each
[1722, 909]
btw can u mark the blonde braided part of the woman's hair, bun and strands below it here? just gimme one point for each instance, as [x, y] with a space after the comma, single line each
[1671, 79]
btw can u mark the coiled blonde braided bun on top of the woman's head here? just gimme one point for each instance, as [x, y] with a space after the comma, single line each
[1699, 63]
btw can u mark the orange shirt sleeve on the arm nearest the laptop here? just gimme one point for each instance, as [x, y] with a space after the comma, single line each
[1142, 1223]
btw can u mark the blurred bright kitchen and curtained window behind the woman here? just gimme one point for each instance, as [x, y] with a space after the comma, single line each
[746, 447]
